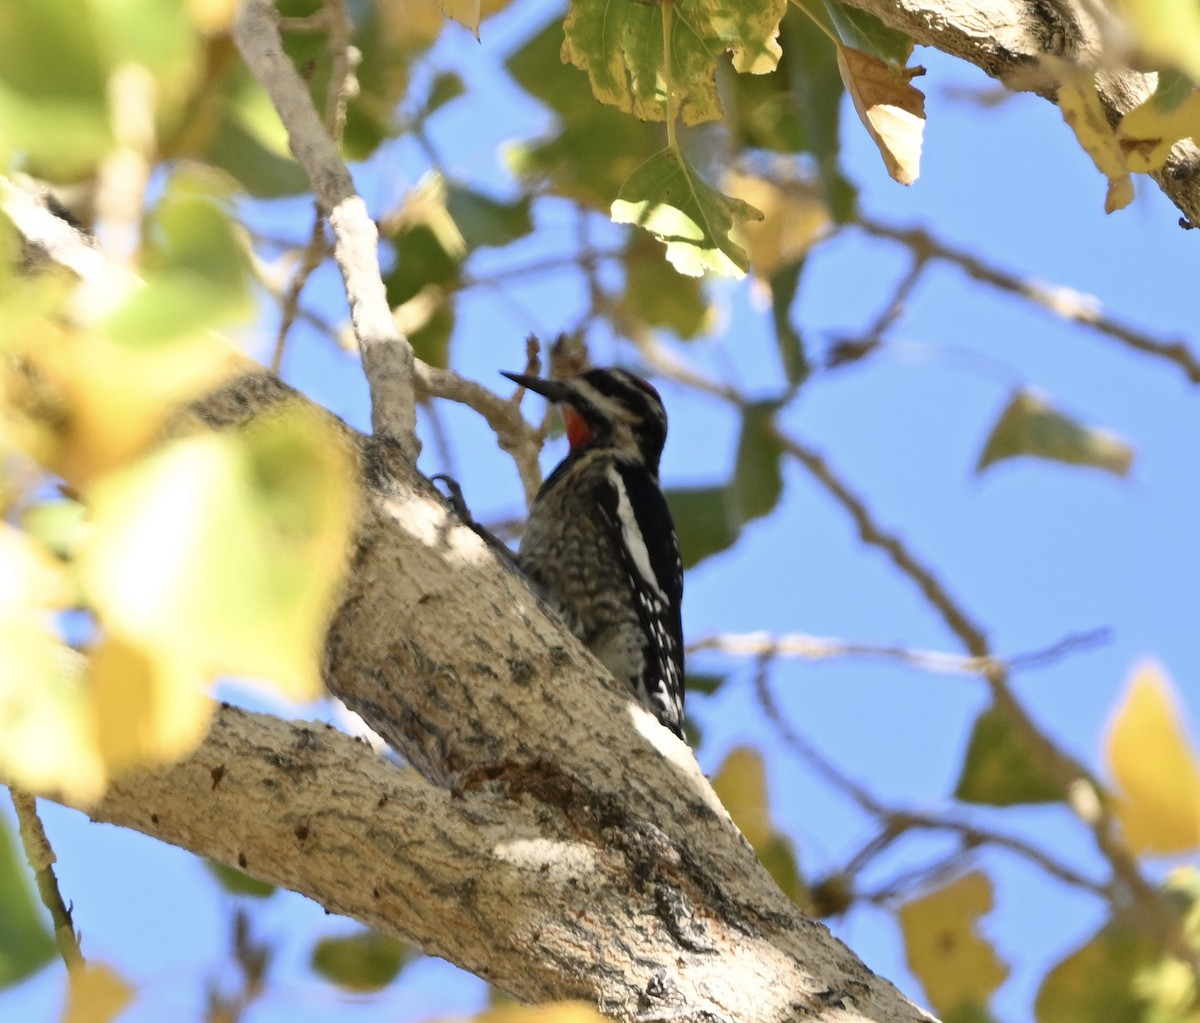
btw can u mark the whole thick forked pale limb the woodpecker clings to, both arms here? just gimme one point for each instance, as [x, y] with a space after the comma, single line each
[557, 841]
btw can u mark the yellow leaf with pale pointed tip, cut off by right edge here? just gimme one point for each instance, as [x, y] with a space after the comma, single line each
[1155, 768]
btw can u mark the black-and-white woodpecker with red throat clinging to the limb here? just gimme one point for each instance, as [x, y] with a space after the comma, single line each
[601, 547]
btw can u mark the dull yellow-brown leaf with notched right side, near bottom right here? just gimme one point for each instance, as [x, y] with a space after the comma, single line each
[957, 967]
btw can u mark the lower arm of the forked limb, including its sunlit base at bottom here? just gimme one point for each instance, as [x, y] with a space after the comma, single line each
[513, 878]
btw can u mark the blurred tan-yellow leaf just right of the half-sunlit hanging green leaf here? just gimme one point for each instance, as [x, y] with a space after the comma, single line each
[794, 220]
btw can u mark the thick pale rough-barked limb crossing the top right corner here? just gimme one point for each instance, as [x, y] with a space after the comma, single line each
[1011, 40]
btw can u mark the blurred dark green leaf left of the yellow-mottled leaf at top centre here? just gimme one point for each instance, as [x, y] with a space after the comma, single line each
[597, 148]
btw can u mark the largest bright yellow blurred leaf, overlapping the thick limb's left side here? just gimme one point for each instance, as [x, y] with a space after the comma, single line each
[223, 554]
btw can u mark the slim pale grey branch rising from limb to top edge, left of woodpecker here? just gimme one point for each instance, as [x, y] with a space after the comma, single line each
[387, 355]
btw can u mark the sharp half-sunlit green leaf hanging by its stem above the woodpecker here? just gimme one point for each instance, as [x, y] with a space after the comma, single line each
[670, 200]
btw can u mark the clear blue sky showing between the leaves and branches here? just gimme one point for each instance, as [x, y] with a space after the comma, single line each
[1035, 552]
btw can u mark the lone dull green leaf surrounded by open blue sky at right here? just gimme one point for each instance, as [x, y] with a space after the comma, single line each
[1029, 426]
